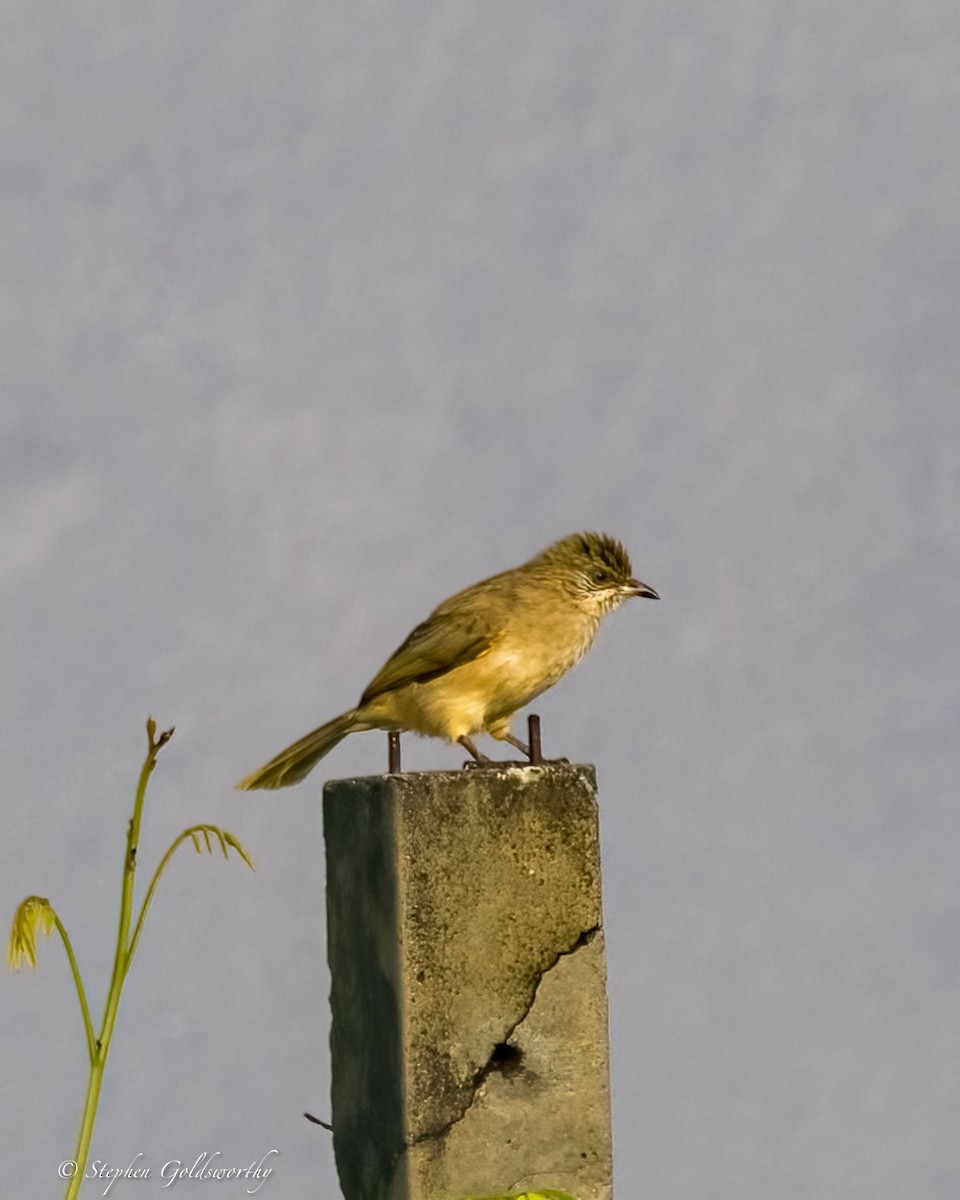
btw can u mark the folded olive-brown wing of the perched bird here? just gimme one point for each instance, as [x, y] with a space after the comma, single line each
[457, 633]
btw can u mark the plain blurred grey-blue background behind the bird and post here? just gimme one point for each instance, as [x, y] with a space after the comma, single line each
[315, 314]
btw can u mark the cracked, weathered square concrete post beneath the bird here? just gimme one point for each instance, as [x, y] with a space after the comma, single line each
[470, 1034]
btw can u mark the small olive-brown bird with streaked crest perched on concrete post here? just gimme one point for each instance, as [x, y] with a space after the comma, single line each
[482, 656]
